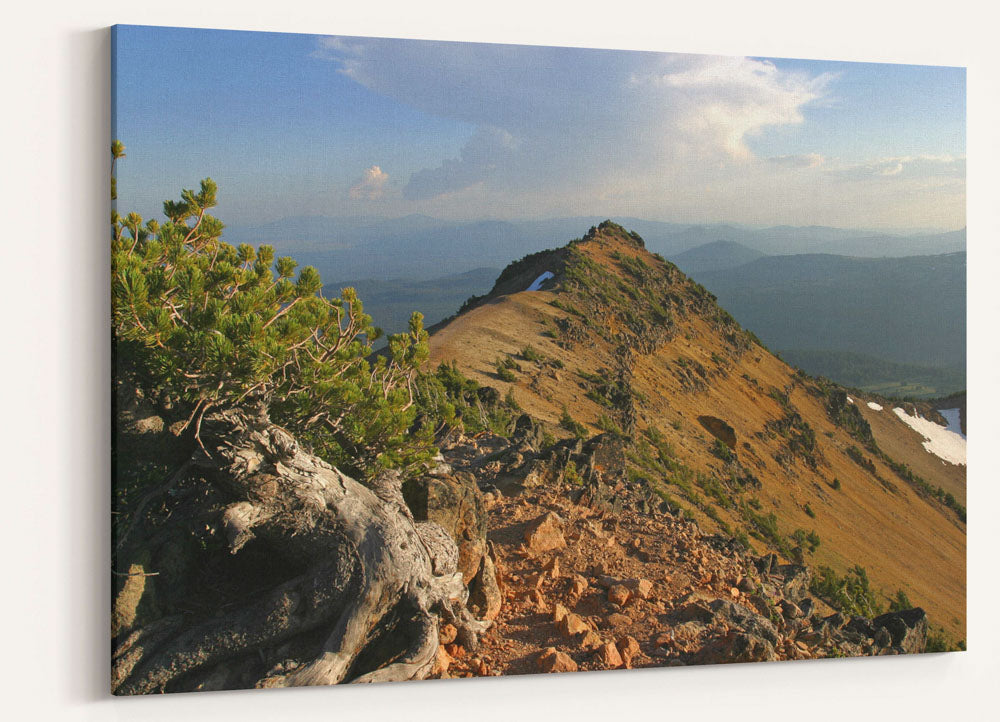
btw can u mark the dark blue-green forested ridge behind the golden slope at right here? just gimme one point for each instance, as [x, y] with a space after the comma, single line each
[907, 310]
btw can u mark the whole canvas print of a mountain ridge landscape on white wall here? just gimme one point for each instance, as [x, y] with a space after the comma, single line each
[437, 360]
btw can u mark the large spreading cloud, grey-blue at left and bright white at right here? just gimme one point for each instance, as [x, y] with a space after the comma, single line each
[560, 115]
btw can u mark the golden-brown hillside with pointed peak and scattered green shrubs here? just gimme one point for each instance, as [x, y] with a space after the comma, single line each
[723, 431]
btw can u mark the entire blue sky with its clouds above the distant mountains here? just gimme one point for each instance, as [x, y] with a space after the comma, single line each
[299, 124]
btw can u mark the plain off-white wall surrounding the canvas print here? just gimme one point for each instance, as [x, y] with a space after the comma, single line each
[54, 405]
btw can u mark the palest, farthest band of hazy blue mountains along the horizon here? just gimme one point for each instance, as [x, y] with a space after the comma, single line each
[420, 247]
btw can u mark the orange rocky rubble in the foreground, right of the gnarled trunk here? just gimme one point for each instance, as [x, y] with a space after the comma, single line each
[586, 571]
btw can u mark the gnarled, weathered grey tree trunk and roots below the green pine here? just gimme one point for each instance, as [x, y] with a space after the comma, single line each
[376, 587]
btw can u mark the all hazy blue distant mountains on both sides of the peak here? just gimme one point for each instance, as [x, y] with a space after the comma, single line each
[898, 300]
